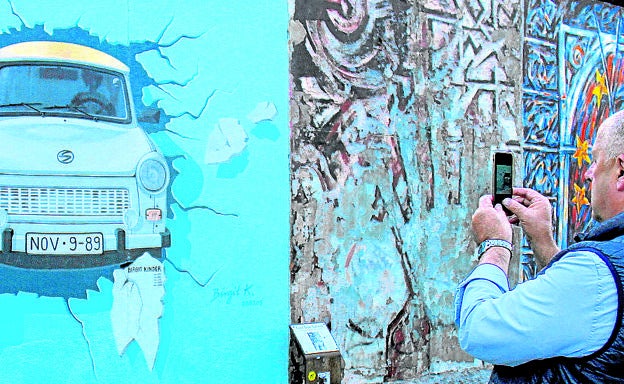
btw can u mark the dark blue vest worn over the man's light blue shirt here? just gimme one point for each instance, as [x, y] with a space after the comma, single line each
[605, 365]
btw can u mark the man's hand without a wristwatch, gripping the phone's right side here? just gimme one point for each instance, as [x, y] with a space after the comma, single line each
[533, 212]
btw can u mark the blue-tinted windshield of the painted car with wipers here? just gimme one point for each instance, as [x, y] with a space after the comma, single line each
[62, 90]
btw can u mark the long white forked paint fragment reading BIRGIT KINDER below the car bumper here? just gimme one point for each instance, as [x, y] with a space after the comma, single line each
[137, 305]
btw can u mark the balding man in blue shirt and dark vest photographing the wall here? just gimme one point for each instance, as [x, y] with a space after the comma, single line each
[564, 326]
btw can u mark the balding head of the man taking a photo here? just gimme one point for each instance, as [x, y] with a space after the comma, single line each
[606, 172]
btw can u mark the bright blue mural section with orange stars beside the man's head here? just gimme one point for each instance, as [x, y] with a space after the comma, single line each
[573, 81]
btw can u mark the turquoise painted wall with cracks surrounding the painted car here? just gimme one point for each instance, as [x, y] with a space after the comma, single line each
[218, 71]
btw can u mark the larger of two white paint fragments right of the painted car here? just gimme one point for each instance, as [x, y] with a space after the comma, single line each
[225, 141]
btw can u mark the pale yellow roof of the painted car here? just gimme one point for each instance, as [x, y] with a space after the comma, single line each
[59, 51]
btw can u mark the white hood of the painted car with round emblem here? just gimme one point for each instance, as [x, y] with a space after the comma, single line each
[62, 146]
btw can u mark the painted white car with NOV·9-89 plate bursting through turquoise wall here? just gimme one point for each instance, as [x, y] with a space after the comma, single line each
[81, 184]
